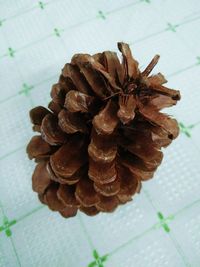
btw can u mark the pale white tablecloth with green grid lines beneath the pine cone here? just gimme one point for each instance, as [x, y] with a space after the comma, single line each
[161, 226]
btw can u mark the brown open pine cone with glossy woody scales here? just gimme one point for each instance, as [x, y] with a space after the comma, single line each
[102, 134]
